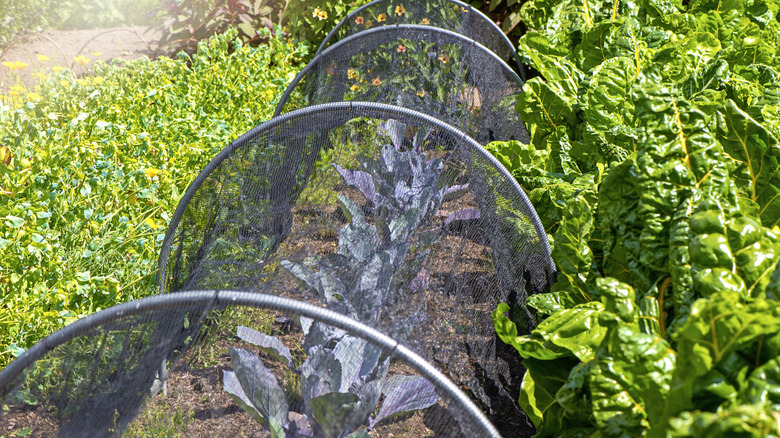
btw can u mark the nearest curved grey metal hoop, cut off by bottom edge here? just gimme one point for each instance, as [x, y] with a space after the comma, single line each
[215, 299]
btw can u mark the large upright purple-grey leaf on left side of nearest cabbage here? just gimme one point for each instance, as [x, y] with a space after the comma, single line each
[260, 386]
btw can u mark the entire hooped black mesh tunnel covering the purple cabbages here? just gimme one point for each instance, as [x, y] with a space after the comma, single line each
[370, 226]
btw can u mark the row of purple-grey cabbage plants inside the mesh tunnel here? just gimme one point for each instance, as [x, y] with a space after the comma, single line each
[343, 377]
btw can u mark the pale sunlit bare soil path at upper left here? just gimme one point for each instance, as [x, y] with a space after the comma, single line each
[61, 46]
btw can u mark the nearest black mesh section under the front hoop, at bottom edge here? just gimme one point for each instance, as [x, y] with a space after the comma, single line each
[297, 370]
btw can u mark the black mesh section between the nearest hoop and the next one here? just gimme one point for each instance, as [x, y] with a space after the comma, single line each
[383, 214]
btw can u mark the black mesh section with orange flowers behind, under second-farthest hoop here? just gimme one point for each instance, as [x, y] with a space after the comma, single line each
[431, 70]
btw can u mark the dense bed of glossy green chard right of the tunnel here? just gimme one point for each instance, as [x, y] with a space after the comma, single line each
[654, 165]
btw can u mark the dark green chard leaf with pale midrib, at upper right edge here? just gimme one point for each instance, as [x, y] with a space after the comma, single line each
[750, 144]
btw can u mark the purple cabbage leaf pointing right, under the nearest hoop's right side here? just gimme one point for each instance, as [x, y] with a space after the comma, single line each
[405, 394]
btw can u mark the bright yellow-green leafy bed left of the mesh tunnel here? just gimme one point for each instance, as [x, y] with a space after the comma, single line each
[93, 169]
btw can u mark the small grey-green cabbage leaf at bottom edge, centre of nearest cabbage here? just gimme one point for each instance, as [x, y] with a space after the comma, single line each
[334, 413]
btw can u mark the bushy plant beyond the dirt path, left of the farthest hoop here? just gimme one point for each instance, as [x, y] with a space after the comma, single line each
[185, 22]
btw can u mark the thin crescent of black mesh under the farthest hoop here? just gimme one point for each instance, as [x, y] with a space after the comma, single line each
[451, 15]
